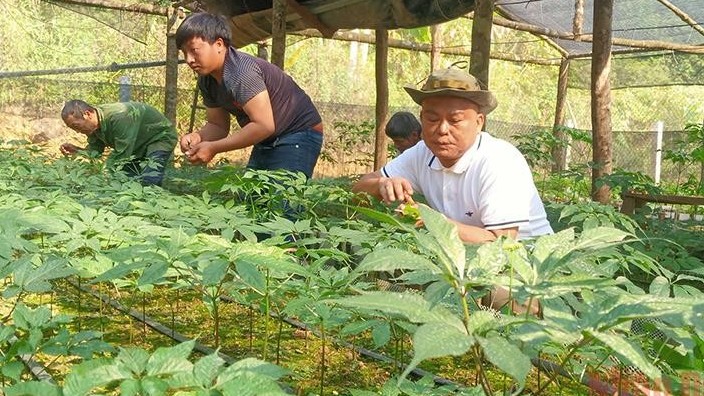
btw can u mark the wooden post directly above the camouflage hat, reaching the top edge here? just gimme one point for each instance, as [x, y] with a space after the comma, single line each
[481, 41]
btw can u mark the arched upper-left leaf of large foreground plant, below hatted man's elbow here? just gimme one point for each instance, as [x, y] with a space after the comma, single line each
[392, 259]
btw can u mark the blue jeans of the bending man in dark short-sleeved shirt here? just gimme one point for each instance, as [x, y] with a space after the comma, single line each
[295, 151]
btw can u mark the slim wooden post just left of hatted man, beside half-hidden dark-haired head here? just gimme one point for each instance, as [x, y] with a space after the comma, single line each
[382, 96]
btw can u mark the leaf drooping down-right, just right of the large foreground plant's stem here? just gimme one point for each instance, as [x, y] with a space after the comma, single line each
[507, 357]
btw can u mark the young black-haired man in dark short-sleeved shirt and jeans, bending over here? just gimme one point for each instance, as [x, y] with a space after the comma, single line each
[276, 116]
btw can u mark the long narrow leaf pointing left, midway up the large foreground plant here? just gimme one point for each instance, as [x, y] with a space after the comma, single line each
[409, 305]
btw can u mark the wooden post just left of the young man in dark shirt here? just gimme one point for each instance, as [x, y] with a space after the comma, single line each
[173, 18]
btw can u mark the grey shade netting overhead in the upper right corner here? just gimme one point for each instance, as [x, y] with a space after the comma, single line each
[650, 20]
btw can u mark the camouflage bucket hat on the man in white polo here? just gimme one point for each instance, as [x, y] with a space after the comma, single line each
[454, 82]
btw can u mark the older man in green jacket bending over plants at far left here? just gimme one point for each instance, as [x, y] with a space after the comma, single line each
[142, 138]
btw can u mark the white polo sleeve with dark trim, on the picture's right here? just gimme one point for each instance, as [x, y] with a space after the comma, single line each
[506, 192]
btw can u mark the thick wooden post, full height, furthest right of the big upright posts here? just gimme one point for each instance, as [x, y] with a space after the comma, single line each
[601, 98]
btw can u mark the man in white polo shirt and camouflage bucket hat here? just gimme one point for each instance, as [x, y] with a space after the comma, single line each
[481, 183]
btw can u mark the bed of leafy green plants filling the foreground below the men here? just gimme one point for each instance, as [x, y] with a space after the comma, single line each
[173, 256]
